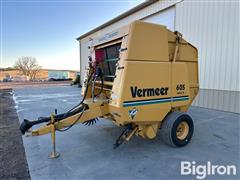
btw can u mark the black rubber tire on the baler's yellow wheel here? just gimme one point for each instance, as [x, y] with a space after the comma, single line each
[169, 127]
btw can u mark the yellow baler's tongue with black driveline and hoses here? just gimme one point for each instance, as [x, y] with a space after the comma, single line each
[86, 113]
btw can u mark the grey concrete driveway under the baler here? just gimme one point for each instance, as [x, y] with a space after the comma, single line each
[87, 152]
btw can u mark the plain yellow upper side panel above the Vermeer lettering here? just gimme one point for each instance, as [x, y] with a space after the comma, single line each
[147, 42]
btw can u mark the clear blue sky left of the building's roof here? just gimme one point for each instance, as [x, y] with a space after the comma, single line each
[48, 30]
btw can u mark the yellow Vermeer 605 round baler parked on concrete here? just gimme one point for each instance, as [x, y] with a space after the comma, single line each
[141, 76]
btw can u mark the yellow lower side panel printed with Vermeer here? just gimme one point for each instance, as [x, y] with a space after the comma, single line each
[146, 88]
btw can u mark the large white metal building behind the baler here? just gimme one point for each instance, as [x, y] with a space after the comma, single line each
[212, 26]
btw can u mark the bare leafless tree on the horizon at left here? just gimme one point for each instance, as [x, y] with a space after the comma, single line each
[28, 66]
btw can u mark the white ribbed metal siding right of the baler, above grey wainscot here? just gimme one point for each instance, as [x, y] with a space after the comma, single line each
[213, 27]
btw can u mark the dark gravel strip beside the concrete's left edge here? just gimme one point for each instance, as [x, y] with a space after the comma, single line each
[13, 163]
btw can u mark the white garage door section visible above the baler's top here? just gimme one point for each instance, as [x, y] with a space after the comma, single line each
[165, 17]
